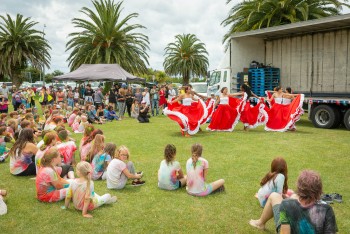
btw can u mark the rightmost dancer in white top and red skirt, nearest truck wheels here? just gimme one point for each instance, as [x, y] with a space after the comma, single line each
[285, 112]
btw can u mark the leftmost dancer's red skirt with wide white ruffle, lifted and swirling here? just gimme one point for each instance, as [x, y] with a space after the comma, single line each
[188, 117]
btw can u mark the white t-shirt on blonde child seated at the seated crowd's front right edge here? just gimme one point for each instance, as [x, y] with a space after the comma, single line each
[115, 177]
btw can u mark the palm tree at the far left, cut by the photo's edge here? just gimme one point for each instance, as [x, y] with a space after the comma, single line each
[21, 45]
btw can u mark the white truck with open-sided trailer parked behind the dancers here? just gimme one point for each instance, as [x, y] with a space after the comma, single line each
[313, 58]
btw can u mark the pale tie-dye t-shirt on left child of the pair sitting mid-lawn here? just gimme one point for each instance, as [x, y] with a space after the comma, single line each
[167, 175]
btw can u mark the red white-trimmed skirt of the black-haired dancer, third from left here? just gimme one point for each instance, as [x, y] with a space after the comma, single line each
[253, 116]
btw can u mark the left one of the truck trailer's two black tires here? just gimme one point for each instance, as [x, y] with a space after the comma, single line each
[324, 116]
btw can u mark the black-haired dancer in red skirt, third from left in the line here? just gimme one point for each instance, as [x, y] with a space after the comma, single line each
[252, 116]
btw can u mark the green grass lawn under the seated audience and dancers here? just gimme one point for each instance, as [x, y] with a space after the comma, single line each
[241, 158]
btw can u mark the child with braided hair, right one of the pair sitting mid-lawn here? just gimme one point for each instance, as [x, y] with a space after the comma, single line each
[197, 169]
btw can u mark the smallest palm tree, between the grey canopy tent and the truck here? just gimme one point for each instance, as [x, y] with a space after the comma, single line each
[186, 56]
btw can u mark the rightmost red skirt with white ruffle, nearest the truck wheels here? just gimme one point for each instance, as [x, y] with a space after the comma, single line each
[283, 117]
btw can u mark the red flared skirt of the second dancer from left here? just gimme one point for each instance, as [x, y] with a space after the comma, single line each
[226, 116]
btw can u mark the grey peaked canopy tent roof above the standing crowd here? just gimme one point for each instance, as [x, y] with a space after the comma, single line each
[94, 72]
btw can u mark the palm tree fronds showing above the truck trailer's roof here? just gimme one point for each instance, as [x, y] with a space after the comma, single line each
[256, 14]
